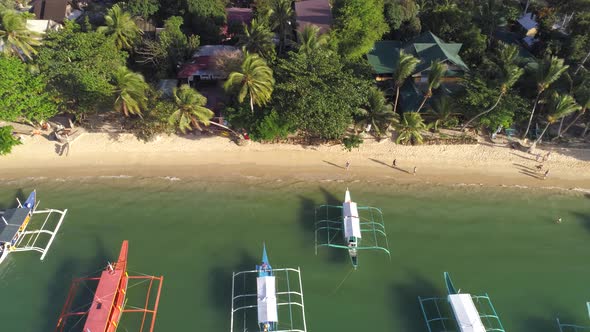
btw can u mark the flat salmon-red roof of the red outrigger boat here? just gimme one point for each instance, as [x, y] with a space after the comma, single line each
[104, 297]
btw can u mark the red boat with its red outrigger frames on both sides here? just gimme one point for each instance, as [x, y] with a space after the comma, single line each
[108, 304]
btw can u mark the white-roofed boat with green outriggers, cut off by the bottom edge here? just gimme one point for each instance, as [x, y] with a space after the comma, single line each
[471, 313]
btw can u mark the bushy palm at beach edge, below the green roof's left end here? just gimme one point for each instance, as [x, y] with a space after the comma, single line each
[377, 113]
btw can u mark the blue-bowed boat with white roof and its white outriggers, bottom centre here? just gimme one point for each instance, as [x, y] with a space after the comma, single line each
[267, 299]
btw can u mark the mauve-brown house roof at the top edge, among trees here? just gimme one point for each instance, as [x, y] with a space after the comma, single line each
[316, 12]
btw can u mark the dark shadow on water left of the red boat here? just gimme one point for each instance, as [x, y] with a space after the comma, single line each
[59, 285]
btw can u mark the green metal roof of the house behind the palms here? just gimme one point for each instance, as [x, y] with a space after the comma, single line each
[426, 47]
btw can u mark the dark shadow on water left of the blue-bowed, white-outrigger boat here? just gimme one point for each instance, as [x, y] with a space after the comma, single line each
[220, 281]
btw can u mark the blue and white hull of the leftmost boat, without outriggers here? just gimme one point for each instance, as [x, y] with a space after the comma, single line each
[13, 223]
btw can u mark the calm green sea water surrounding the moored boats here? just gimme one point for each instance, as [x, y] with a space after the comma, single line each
[501, 241]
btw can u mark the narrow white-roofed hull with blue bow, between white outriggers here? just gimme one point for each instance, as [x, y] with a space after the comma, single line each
[266, 295]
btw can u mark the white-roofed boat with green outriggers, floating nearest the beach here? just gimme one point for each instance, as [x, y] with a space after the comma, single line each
[346, 219]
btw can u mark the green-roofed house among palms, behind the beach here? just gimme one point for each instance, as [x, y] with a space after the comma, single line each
[427, 48]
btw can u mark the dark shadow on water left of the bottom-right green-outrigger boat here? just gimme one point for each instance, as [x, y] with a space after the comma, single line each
[405, 301]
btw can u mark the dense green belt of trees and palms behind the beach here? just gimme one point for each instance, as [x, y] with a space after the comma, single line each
[303, 83]
